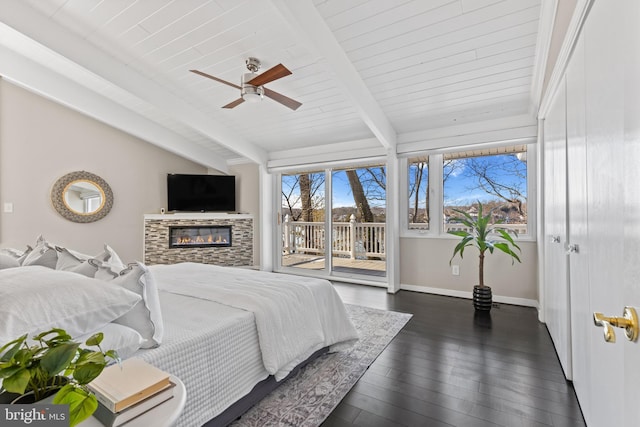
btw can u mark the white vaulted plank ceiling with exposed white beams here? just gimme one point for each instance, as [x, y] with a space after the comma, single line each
[365, 71]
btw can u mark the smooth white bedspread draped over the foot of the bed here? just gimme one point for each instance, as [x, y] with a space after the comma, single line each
[295, 316]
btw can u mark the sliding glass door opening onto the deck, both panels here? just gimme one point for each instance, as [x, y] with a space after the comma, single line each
[340, 235]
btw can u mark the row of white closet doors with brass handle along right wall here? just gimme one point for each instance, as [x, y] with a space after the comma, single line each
[602, 89]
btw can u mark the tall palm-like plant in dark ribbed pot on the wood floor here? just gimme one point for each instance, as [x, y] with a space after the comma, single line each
[484, 234]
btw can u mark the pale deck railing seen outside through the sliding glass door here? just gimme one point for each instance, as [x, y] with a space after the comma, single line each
[356, 240]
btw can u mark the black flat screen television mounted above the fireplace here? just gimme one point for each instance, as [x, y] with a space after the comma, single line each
[201, 193]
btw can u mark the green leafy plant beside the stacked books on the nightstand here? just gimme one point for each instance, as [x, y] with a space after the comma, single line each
[52, 363]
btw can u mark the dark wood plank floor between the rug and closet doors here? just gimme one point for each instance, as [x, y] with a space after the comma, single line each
[448, 367]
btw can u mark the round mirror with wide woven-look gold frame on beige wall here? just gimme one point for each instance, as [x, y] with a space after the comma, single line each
[82, 197]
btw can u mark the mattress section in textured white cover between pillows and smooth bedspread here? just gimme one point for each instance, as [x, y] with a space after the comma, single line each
[213, 349]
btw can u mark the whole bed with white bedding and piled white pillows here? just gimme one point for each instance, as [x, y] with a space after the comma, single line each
[230, 334]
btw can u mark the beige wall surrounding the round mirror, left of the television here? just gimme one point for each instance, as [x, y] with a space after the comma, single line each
[40, 141]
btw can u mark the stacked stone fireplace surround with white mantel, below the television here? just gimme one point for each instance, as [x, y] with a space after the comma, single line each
[156, 239]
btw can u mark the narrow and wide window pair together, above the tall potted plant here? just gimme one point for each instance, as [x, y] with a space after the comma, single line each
[438, 183]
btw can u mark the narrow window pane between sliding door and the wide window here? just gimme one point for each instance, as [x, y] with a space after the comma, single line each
[418, 208]
